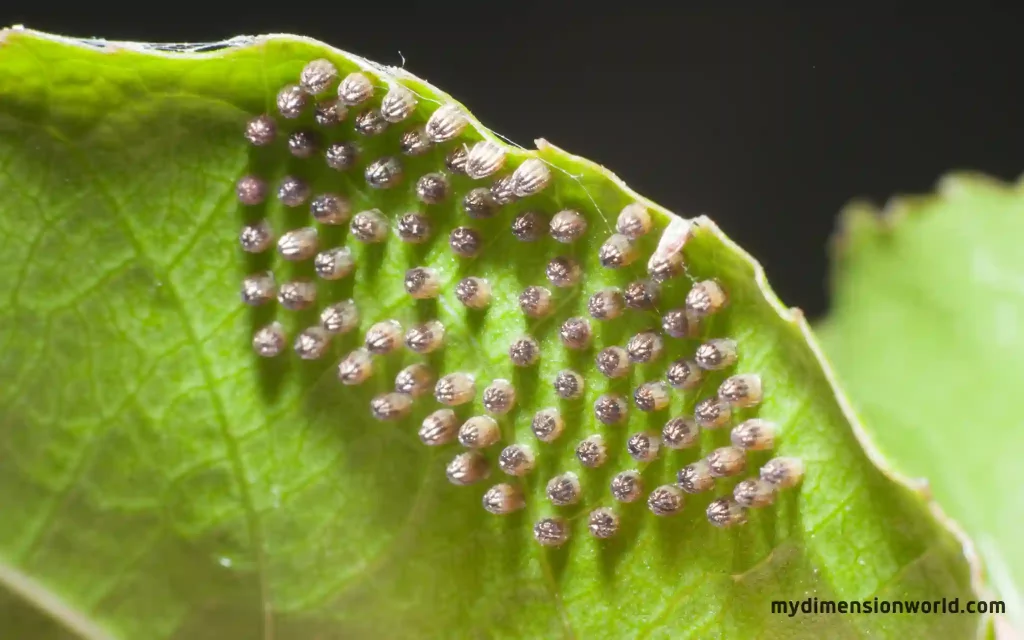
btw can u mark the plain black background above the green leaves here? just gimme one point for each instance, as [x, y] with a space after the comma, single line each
[769, 121]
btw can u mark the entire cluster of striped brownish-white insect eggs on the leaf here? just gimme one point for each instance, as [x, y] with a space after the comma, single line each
[480, 161]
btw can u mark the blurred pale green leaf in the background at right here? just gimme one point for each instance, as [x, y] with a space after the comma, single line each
[926, 332]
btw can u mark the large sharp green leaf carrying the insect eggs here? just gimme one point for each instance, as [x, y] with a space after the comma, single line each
[159, 480]
